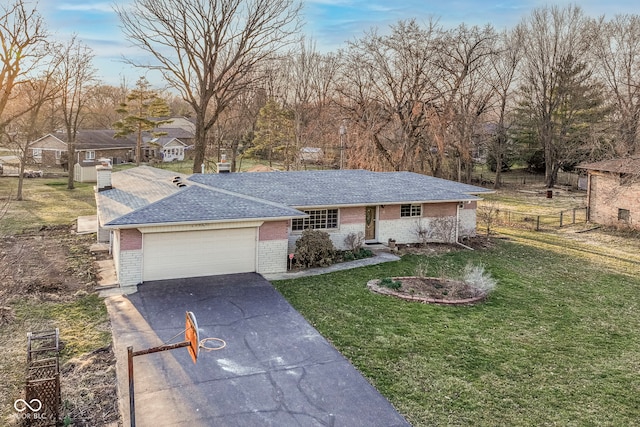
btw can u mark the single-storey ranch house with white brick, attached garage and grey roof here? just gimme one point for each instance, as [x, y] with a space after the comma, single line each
[163, 225]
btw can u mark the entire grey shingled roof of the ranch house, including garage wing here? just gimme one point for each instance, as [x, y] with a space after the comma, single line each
[147, 195]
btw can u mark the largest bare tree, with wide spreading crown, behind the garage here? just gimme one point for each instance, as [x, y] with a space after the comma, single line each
[208, 50]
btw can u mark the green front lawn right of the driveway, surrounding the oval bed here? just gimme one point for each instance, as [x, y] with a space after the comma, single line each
[556, 343]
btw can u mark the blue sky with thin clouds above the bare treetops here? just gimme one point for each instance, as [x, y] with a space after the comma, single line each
[329, 22]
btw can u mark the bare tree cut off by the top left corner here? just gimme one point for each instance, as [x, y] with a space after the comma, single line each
[22, 49]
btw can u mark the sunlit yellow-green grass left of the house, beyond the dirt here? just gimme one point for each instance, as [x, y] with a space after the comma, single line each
[46, 202]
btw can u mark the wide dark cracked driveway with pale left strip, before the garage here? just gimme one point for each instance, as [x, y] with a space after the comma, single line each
[276, 369]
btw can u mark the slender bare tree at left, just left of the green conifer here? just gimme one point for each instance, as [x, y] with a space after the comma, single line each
[76, 76]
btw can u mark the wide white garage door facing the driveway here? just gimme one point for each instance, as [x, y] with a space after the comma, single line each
[198, 253]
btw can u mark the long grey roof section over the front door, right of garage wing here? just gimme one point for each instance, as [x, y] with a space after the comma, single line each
[341, 187]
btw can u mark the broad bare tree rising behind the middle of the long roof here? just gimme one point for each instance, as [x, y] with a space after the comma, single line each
[386, 86]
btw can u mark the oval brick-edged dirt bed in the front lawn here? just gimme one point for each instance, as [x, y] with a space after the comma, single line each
[430, 290]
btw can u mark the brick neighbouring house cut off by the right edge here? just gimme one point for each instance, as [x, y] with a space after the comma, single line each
[613, 191]
